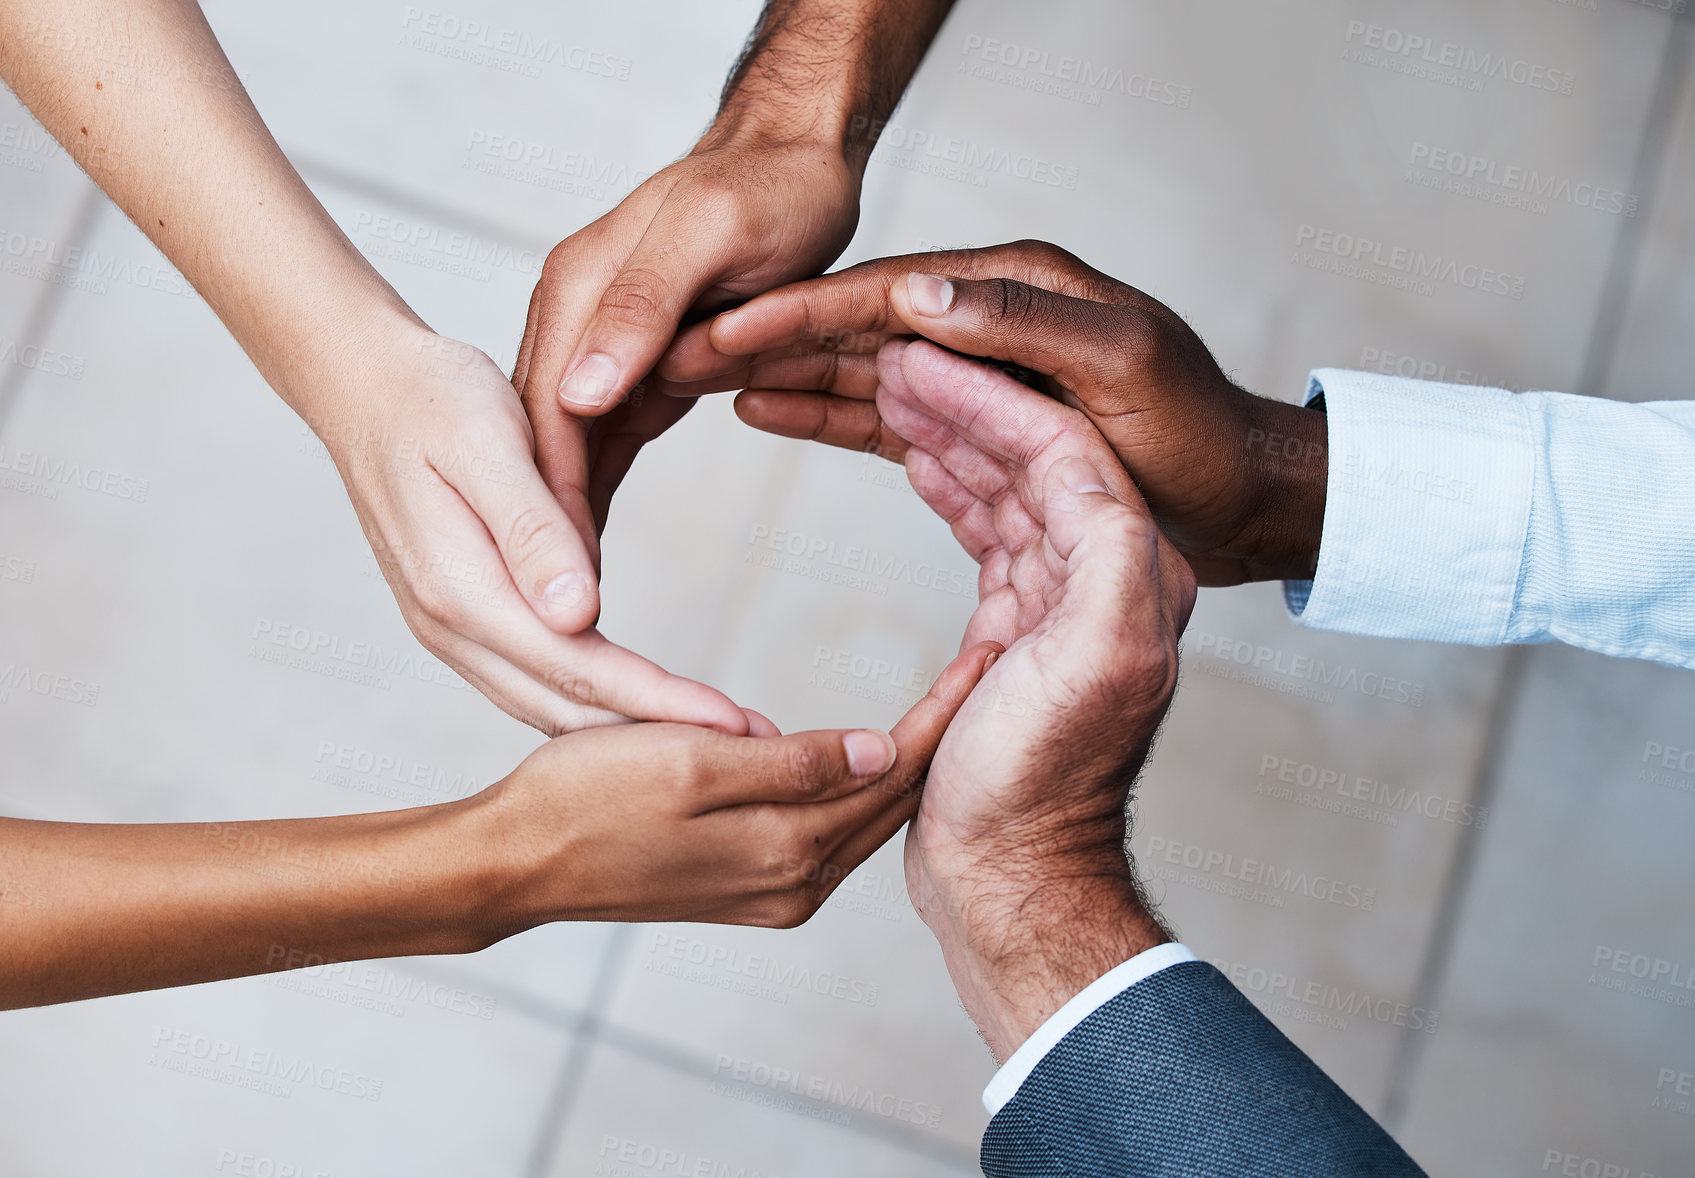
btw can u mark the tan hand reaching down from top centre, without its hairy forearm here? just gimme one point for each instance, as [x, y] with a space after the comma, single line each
[728, 221]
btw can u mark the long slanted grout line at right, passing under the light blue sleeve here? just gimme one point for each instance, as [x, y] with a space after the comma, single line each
[1598, 367]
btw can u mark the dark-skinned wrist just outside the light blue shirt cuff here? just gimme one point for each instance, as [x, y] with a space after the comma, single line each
[1289, 469]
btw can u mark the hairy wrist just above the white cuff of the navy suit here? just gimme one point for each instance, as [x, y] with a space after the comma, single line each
[1020, 955]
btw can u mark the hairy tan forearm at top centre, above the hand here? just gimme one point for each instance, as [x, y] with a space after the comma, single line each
[828, 70]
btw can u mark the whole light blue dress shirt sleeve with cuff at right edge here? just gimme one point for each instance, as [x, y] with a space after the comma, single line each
[1477, 516]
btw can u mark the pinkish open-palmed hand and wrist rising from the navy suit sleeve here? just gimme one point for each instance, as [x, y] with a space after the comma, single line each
[1018, 857]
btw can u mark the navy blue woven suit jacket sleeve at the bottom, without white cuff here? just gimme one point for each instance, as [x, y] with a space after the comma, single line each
[1182, 1075]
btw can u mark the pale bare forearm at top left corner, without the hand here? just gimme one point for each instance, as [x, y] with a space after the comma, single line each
[142, 96]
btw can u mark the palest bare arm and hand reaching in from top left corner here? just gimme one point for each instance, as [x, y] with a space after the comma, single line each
[428, 435]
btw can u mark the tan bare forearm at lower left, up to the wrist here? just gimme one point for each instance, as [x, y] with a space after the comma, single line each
[89, 911]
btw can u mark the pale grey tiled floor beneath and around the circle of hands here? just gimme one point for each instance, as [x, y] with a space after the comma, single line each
[1513, 989]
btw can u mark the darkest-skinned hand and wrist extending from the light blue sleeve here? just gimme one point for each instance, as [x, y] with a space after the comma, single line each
[1235, 481]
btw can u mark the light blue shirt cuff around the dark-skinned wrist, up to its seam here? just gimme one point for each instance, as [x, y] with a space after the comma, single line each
[1426, 509]
